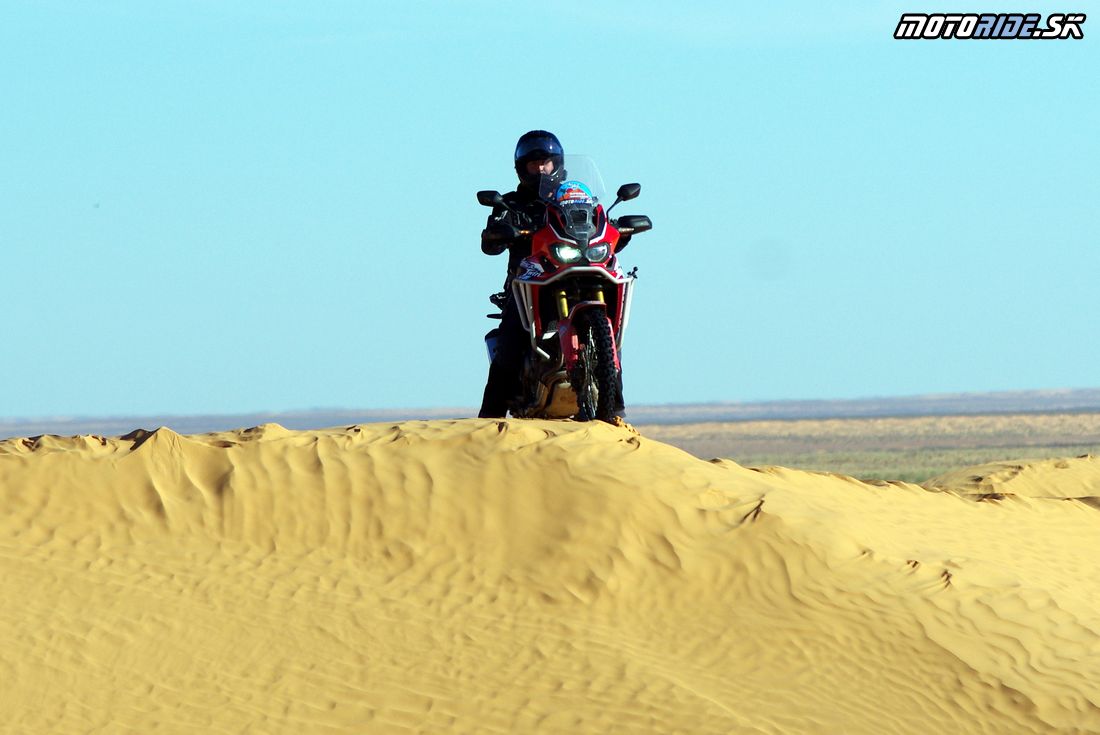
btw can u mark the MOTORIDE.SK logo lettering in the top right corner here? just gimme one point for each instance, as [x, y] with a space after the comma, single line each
[930, 27]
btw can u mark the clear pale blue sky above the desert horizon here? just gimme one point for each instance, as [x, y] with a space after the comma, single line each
[219, 207]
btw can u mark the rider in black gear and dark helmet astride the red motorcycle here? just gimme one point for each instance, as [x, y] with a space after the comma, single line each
[541, 168]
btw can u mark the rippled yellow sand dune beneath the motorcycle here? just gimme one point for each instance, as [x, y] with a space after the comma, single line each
[519, 577]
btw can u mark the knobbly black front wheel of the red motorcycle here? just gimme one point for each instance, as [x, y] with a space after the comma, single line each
[596, 378]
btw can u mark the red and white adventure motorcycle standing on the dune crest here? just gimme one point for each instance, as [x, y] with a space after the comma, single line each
[575, 302]
